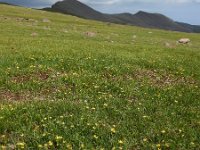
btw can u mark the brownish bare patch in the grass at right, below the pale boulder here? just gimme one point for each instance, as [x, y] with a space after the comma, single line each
[163, 79]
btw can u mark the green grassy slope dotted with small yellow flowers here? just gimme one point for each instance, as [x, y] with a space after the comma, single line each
[69, 83]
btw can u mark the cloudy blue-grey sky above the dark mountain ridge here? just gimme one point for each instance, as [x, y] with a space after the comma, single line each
[187, 11]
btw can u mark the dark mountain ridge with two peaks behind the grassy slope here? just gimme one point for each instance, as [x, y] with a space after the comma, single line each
[142, 19]
